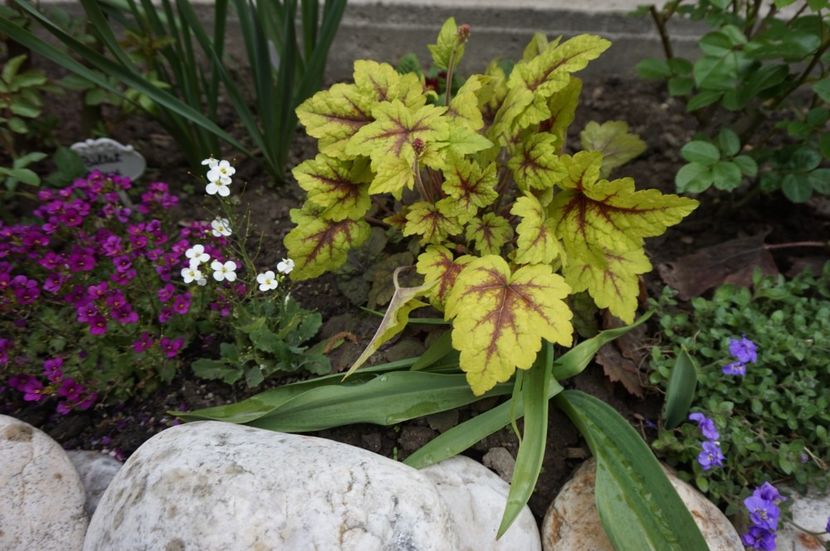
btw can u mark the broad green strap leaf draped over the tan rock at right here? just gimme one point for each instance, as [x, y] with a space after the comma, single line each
[638, 506]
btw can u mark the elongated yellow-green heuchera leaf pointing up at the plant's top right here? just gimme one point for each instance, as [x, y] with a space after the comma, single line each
[533, 82]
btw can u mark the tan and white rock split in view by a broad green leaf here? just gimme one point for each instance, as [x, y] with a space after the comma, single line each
[572, 522]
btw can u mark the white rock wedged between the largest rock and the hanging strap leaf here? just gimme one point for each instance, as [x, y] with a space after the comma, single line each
[476, 497]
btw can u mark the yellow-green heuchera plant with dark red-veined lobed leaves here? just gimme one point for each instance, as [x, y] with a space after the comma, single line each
[509, 223]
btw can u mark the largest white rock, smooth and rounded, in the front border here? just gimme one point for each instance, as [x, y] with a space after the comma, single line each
[218, 486]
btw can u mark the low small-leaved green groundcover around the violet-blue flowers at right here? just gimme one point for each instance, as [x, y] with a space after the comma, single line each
[774, 421]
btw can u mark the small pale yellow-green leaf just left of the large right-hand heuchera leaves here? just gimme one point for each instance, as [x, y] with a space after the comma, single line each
[537, 242]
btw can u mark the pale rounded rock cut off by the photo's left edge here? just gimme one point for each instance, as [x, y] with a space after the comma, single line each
[41, 496]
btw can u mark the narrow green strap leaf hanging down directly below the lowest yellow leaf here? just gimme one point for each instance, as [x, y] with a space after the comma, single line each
[534, 437]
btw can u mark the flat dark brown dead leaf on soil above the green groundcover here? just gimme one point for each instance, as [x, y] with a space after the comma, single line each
[729, 262]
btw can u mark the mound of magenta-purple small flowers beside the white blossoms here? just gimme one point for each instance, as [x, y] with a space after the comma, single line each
[96, 257]
